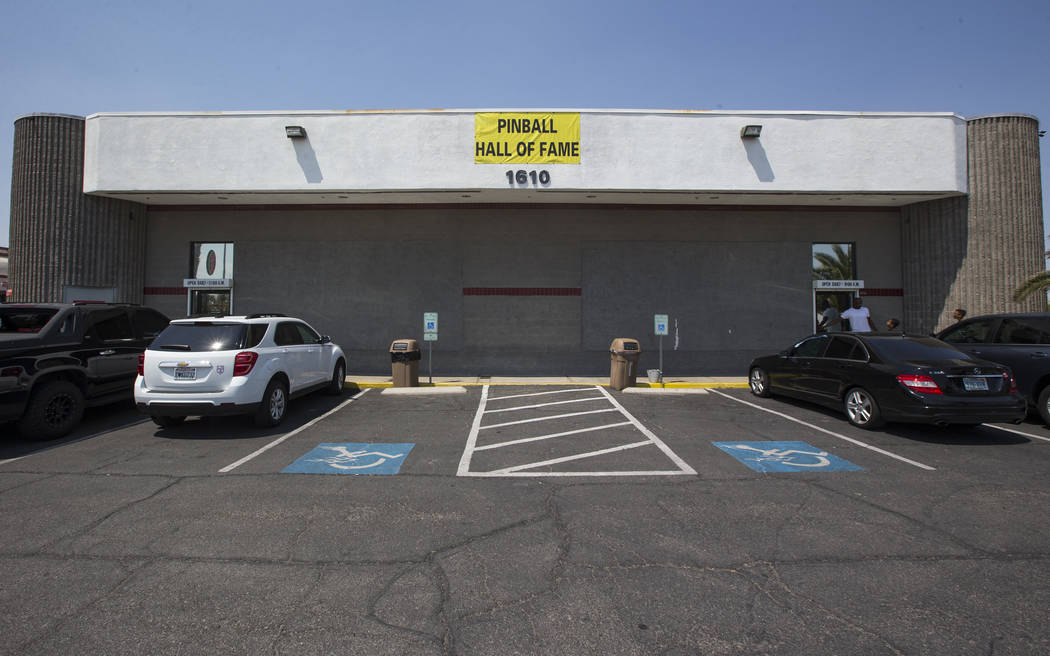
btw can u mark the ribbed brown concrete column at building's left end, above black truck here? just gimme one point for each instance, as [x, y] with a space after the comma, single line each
[59, 236]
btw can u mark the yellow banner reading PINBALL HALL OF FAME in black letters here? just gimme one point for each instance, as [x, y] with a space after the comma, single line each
[527, 138]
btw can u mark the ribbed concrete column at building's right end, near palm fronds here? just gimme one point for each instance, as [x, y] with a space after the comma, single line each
[973, 252]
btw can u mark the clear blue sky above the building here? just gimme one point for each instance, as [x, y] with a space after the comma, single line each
[972, 58]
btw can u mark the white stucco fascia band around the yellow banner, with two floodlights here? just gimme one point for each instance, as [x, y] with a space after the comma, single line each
[806, 153]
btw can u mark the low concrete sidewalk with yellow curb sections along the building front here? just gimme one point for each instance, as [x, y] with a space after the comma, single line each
[681, 383]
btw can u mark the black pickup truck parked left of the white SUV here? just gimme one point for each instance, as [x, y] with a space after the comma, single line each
[56, 359]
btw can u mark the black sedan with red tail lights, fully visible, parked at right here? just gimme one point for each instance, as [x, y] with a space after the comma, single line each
[880, 377]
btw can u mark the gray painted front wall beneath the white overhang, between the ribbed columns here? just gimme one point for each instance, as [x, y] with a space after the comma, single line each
[739, 282]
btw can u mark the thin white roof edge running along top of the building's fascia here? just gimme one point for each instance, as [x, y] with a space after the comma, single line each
[720, 113]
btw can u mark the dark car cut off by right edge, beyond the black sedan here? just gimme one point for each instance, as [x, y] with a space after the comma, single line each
[1020, 342]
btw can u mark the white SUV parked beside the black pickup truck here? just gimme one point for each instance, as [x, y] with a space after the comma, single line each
[236, 366]
